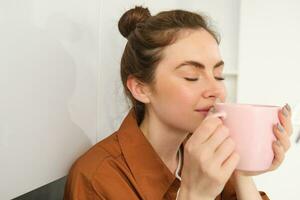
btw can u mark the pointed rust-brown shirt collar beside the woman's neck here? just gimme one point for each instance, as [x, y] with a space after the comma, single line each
[152, 176]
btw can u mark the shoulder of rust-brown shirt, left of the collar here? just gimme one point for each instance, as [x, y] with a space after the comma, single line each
[102, 170]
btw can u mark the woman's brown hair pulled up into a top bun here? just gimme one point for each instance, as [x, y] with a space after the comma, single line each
[147, 36]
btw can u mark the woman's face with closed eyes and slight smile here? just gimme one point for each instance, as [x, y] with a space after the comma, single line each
[187, 81]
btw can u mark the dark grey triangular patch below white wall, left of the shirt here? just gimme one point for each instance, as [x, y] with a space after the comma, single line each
[51, 191]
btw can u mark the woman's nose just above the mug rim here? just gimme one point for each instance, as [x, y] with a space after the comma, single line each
[214, 90]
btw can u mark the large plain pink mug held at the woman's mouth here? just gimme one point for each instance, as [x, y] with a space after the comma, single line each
[251, 127]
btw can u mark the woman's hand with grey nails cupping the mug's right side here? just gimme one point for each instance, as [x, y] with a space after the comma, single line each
[282, 131]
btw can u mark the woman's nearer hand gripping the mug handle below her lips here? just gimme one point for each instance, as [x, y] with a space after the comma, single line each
[209, 160]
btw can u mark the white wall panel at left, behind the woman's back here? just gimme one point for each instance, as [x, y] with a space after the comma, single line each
[48, 83]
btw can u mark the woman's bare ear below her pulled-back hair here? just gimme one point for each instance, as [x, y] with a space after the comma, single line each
[139, 90]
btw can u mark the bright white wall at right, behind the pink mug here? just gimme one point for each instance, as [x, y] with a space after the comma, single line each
[269, 74]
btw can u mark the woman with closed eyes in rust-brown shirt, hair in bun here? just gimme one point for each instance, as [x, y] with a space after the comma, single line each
[171, 144]
